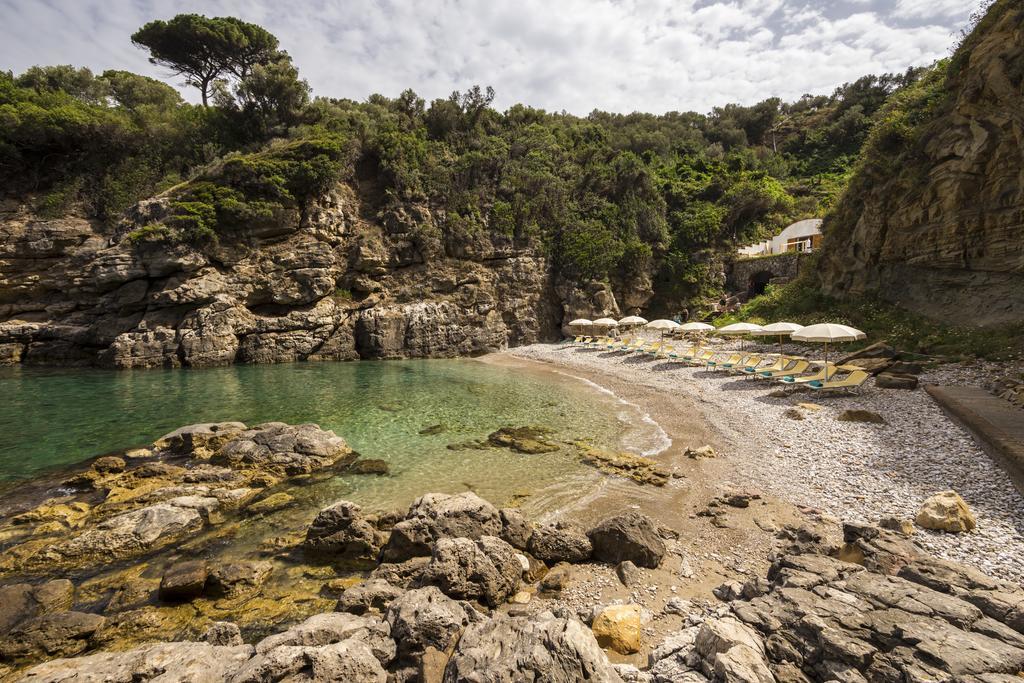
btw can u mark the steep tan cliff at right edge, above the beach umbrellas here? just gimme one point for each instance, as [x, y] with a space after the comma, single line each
[944, 234]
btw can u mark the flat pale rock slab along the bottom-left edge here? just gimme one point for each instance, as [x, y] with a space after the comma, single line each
[201, 663]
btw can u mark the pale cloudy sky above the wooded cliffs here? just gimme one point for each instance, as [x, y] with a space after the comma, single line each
[575, 56]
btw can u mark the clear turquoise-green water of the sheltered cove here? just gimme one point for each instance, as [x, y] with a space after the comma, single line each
[57, 418]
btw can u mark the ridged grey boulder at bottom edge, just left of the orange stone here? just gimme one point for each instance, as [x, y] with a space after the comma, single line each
[509, 650]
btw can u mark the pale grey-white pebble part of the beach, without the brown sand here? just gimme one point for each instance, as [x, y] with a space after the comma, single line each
[854, 472]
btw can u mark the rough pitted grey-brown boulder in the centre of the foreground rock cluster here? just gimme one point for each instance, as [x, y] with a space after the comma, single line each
[487, 570]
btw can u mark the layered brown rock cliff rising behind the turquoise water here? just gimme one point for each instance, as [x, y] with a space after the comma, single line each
[343, 283]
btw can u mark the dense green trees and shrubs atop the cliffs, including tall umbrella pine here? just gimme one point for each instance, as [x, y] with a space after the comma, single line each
[606, 196]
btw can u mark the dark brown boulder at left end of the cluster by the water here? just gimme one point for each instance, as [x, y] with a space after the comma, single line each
[343, 534]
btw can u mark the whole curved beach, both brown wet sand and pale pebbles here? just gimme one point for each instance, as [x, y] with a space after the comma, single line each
[851, 472]
